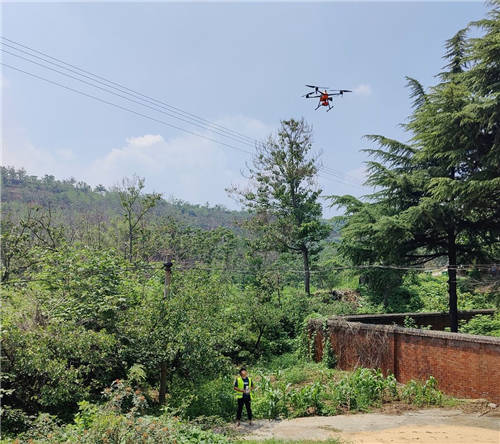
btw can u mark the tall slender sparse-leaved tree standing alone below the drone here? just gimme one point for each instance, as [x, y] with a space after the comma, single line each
[283, 196]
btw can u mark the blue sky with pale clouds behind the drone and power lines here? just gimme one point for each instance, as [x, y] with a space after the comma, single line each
[242, 65]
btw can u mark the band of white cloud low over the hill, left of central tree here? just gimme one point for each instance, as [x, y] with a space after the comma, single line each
[186, 166]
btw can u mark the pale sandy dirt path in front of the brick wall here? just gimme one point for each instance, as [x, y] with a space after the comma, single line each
[430, 426]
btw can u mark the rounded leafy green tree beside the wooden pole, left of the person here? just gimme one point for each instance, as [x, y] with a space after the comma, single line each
[186, 335]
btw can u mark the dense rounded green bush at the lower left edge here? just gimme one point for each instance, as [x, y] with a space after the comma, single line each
[51, 367]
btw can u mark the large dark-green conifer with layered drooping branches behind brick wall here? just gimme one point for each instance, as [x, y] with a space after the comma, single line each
[437, 196]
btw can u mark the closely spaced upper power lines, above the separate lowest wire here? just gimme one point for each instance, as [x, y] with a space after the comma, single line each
[123, 88]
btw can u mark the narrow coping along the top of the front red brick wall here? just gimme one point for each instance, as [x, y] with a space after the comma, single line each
[436, 334]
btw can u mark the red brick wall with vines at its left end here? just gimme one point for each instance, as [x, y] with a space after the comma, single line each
[466, 366]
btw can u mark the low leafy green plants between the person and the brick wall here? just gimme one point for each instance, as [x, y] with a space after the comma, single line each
[327, 392]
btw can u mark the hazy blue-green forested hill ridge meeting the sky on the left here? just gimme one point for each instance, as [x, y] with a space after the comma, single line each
[20, 189]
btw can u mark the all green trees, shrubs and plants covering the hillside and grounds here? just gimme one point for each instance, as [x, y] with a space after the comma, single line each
[101, 345]
